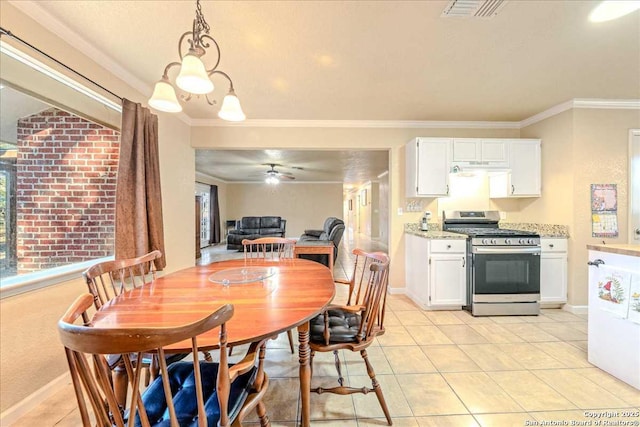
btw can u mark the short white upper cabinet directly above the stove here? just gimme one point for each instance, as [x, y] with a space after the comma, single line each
[480, 152]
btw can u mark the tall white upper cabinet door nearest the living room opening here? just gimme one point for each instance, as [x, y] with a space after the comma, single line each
[433, 167]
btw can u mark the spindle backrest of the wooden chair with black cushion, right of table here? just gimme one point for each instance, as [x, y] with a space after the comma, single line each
[372, 294]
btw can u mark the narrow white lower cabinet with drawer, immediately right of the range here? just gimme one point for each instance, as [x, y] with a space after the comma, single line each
[553, 271]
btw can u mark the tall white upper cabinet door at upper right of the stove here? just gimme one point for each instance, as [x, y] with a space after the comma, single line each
[524, 161]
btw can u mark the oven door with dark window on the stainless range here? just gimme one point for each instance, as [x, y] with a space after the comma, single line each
[510, 272]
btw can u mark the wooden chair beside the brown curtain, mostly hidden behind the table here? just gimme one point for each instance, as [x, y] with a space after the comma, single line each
[107, 280]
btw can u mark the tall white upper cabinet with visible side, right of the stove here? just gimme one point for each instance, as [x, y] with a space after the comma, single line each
[523, 178]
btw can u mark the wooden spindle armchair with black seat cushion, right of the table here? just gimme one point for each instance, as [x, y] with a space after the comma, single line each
[355, 325]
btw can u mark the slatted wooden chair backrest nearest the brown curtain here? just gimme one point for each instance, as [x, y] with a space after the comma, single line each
[107, 280]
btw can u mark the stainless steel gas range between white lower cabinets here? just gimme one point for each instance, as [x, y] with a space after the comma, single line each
[503, 272]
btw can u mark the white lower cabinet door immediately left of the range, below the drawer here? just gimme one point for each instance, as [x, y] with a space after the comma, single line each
[447, 278]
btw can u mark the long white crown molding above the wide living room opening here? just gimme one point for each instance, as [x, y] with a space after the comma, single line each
[399, 124]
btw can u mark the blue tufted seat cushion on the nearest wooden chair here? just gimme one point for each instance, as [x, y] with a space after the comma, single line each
[182, 382]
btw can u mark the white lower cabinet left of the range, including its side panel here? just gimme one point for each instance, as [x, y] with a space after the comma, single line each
[436, 272]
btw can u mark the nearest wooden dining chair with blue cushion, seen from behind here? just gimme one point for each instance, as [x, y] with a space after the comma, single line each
[194, 393]
